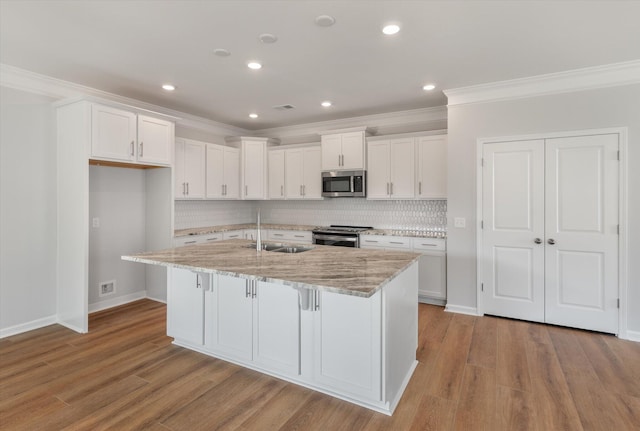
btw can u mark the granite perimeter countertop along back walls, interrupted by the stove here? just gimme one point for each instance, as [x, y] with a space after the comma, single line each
[225, 228]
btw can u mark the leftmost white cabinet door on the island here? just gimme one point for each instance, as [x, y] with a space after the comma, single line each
[185, 306]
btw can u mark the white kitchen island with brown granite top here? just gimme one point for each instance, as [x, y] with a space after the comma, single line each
[342, 321]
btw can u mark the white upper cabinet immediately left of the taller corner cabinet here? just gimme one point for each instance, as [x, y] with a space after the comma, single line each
[222, 172]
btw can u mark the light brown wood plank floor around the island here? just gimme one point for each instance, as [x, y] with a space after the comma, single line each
[475, 373]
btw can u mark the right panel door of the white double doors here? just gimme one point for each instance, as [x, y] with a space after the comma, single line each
[581, 260]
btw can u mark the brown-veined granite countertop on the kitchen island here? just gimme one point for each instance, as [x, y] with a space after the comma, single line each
[350, 271]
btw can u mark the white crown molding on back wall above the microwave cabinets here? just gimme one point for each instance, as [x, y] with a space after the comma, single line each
[377, 124]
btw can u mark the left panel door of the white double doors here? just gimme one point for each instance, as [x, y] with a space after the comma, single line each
[513, 233]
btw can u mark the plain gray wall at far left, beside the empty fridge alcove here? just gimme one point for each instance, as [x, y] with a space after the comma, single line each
[27, 208]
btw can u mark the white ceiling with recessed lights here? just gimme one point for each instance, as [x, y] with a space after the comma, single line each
[131, 47]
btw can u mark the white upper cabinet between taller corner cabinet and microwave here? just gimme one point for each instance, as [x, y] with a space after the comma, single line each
[303, 170]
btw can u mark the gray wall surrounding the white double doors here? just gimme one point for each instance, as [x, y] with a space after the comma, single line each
[601, 108]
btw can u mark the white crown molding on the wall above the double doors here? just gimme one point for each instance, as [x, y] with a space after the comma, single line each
[625, 73]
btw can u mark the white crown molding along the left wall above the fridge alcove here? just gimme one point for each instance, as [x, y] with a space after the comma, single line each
[31, 82]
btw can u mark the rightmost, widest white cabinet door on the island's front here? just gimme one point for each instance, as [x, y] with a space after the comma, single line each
[348, 344]
